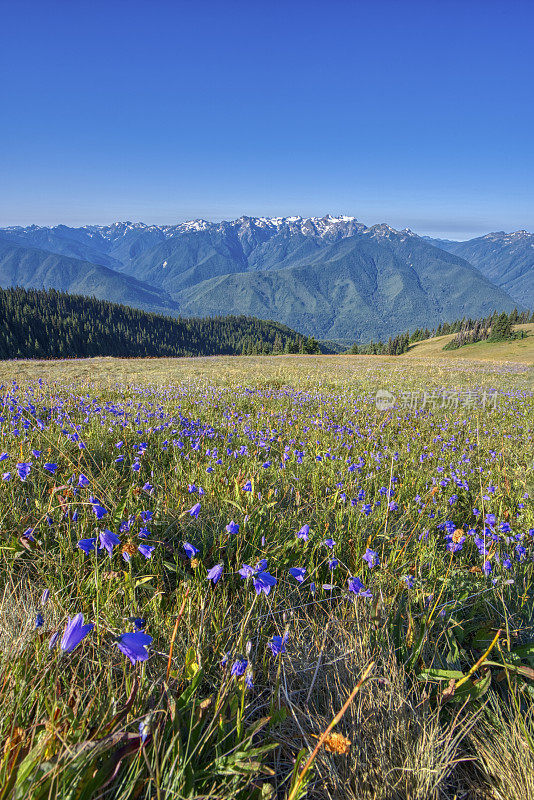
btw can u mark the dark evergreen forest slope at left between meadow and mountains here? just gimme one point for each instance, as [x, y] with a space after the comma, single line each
[38, 323]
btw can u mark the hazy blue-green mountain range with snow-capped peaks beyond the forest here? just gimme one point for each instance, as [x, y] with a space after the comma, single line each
[332, 277]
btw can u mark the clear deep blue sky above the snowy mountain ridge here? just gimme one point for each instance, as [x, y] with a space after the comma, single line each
[419, 114]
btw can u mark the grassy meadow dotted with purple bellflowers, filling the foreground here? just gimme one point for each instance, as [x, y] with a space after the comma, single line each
[287, 591]
